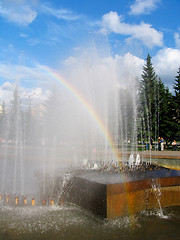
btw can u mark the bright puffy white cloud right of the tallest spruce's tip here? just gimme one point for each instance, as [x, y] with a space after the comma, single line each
[166, 63]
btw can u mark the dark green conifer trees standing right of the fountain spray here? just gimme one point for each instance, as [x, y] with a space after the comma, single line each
[158, 109]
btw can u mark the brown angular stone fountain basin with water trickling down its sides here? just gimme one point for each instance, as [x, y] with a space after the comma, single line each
[113, 195]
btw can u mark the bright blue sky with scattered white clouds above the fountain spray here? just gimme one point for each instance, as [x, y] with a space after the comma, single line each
[52, 33]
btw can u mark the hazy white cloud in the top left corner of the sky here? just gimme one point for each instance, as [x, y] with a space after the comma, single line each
[20, 14]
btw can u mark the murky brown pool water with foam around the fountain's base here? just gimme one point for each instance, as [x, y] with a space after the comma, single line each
[71, 222]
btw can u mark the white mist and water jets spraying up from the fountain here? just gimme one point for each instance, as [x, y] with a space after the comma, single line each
[88, 115]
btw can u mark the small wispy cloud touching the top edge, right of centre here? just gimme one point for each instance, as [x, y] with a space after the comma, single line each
[143, 6]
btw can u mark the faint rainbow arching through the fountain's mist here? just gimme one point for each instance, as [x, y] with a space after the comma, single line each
[69, 87]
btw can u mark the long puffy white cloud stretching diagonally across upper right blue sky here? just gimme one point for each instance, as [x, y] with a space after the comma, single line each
[144, 32]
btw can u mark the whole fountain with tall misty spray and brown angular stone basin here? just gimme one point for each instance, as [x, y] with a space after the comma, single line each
[88, 129]
